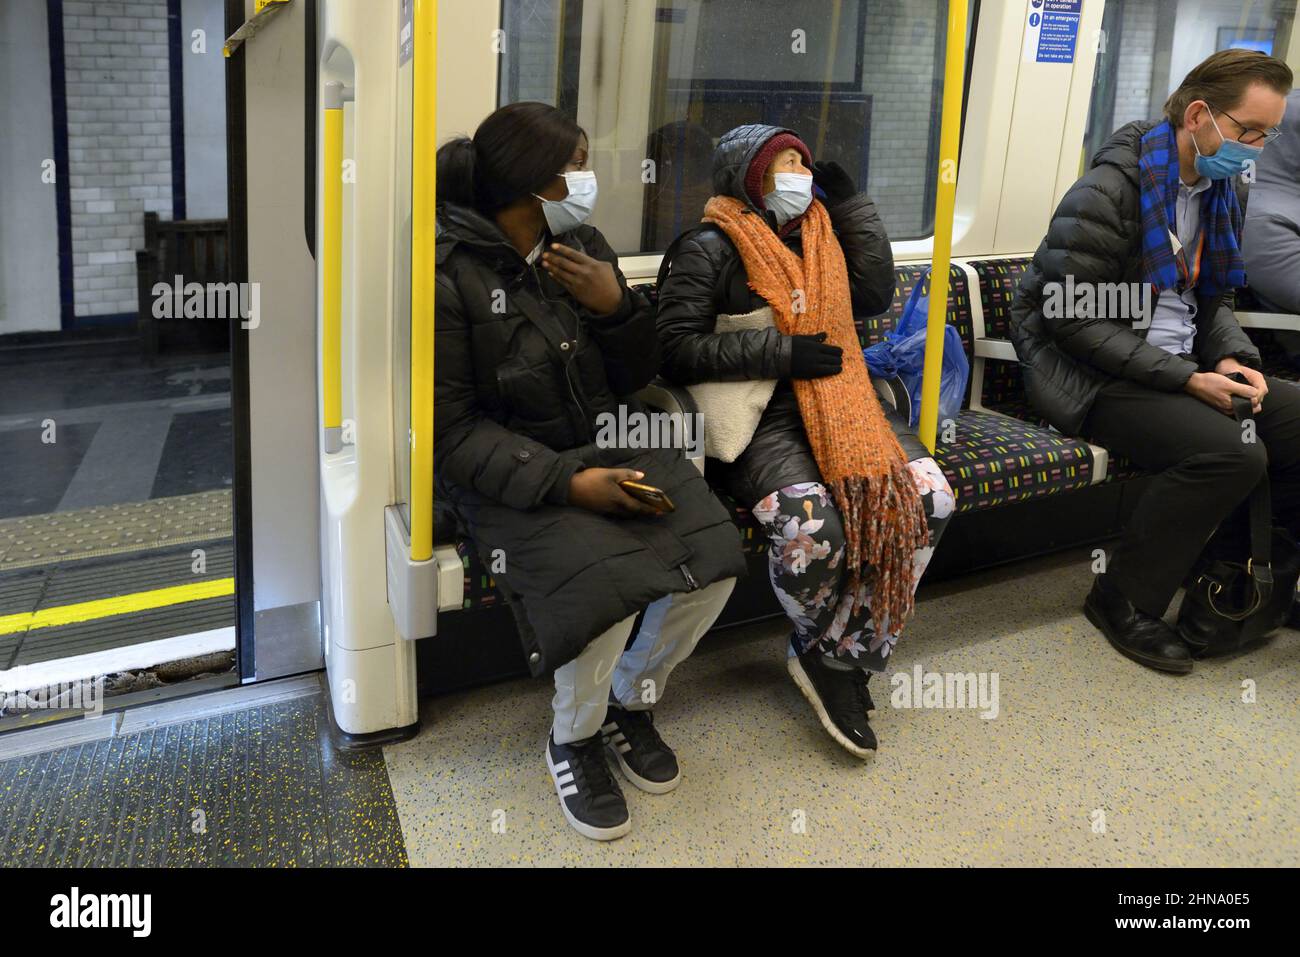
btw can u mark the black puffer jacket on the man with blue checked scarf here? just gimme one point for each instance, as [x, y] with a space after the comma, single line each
[1095, 236]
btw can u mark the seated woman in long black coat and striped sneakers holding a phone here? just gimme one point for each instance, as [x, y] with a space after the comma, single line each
[538, 341]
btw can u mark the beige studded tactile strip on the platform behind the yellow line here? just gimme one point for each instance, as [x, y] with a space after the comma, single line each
[36, 540]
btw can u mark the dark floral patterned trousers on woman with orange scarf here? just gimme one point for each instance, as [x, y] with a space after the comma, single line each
[807, 566]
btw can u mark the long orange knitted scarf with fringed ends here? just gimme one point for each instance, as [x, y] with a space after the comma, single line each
[856, 449]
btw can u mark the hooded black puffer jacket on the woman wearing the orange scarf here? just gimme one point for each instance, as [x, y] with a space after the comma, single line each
[697, 291]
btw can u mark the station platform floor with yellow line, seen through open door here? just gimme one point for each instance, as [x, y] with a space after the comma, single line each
[116, 548]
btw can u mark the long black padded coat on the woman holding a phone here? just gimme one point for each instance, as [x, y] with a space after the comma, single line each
[522, 375]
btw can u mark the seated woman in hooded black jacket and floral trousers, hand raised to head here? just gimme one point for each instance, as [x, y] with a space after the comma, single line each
[834, 648]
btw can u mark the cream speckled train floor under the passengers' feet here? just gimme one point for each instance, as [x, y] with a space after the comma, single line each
[1091, 760]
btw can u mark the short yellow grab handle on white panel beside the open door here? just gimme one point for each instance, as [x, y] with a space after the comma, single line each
[332, 271]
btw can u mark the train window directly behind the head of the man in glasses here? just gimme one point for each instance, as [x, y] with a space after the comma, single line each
[1146, 49]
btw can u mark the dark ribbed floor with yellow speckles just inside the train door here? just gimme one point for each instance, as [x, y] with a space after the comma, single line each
[259, 787]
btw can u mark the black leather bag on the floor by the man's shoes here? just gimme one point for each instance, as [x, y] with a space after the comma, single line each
[1233, 607]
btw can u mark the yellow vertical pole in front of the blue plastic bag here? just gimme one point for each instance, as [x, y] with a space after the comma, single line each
[946, 201]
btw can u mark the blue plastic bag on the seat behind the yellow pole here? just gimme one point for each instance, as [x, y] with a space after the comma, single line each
[903, 353]
